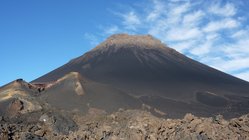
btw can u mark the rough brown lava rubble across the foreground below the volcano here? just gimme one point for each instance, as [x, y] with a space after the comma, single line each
[123, 124]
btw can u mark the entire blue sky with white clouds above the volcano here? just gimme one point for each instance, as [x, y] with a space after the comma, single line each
[37, 36]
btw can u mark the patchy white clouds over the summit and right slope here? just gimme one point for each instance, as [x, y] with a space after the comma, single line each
[213, 32]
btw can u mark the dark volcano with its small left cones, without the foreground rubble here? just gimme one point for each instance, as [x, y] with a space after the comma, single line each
[131, 72]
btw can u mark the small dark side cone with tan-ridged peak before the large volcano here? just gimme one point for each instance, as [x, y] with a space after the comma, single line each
[73, 92]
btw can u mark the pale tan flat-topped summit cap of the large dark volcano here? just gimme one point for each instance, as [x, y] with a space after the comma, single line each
[128, 41]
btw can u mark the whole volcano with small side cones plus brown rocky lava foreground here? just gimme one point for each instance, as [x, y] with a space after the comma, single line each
[124, 89]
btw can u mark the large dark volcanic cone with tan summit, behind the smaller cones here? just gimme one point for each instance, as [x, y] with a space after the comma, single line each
[146, 69]
